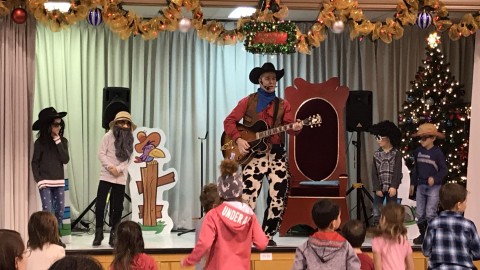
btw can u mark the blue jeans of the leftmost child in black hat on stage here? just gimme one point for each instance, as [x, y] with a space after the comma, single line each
[53, 200]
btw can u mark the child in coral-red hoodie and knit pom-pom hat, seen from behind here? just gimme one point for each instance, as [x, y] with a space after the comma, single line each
[229, 229]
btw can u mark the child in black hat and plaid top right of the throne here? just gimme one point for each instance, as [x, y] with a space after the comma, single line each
[387, 165]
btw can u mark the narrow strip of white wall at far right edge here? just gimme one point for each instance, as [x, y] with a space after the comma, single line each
[473, 170]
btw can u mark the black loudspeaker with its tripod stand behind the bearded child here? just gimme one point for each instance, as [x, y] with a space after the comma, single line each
[115, 100]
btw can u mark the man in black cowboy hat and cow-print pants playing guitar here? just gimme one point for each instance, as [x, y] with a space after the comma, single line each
[264, 105]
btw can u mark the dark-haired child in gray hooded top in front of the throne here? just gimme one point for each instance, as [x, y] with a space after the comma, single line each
[326, 249]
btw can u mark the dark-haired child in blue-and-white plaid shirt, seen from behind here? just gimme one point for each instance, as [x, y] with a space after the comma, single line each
[452, 241]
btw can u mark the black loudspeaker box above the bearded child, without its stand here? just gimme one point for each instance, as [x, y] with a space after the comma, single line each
[115, 99]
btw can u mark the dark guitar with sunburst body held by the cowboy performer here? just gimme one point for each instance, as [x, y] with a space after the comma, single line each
[256, 135]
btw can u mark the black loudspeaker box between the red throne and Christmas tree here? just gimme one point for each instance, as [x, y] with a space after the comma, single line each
[359, 111]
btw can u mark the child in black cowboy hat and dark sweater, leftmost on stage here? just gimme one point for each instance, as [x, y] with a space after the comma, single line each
[50, 153]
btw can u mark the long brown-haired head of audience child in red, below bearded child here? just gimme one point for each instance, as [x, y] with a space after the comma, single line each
[129, 243]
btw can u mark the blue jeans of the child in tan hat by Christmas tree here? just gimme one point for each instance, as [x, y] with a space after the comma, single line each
[427, 202]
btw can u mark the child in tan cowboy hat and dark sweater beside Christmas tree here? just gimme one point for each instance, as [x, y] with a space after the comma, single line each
[428, 174]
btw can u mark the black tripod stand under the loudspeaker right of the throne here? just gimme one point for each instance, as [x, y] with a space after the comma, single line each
[361, 190]
